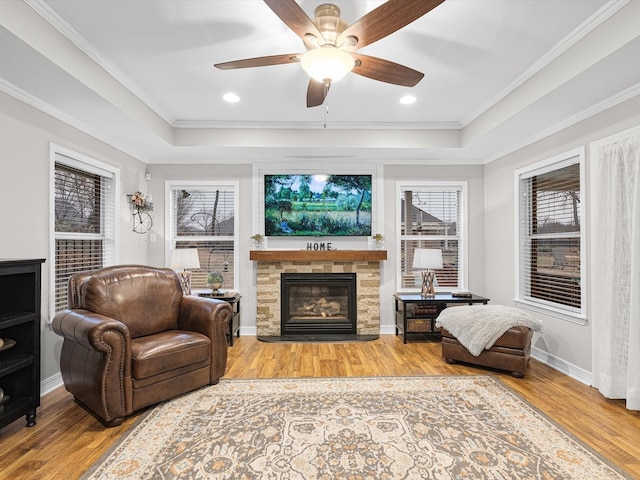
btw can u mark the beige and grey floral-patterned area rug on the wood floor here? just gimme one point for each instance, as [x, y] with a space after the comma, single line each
[445, 428]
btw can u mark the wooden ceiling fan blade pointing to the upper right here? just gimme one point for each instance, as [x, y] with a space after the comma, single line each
[386, 19]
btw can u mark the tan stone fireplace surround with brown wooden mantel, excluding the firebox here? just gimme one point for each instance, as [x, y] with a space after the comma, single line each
[271, 264]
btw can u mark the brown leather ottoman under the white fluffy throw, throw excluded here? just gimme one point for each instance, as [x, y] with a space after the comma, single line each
[510, 352]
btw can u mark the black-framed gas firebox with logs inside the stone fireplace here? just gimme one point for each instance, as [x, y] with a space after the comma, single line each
[318, 303]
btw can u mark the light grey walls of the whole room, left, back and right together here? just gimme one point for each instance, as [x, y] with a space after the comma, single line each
[24, 191]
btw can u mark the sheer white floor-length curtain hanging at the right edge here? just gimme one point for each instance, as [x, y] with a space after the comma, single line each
[615, 267]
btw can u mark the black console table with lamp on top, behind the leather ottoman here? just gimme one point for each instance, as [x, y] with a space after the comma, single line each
[417, 314]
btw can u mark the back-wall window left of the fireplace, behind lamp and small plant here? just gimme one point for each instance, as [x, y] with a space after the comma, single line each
[203, 216]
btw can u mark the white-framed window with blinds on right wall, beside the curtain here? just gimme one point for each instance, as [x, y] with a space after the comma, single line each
[550, 235]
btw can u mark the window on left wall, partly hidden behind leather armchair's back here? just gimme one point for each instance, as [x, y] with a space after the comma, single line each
[84, 219]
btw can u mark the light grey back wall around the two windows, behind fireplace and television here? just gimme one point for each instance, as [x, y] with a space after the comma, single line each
[246, 273]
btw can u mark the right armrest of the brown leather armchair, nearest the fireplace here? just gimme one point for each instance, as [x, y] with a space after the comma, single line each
[210, 317]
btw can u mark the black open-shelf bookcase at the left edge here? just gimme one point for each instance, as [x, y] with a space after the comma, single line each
[20, 331]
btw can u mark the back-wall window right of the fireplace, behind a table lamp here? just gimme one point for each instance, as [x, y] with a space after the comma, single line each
[432, 215]
